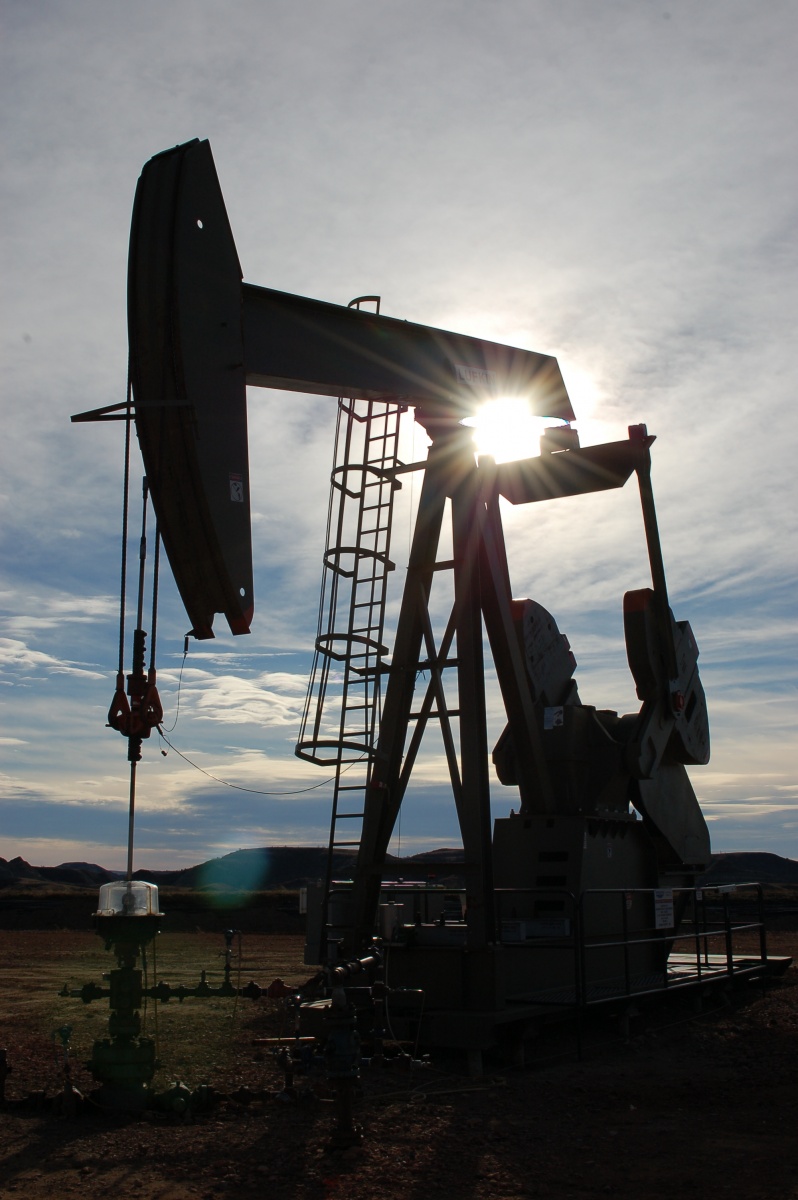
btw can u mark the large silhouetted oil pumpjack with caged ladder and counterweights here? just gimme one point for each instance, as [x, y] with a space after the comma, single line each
[560, 897]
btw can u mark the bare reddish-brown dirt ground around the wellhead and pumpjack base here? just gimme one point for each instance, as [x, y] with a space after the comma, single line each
[681, 1105]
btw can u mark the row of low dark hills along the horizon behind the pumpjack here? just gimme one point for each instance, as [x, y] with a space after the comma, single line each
[291, 867]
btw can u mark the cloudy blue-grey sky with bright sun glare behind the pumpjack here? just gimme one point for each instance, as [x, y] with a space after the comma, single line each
[614, 184]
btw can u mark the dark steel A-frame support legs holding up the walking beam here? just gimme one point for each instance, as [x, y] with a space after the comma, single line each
[482, 595]
